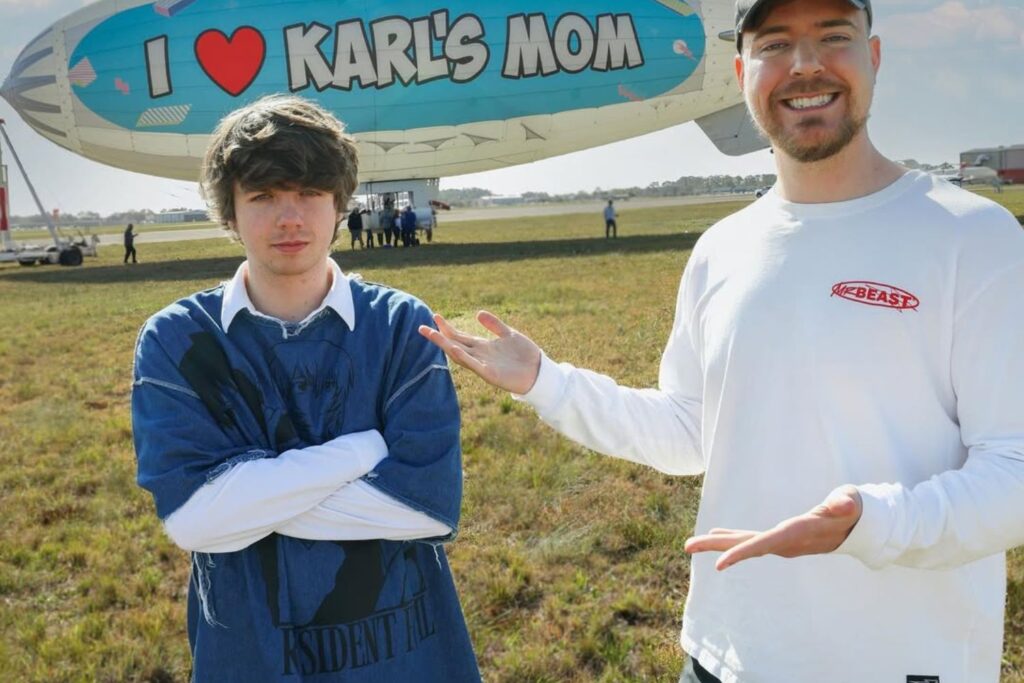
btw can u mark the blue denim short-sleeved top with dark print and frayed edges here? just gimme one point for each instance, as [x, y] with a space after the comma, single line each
[291, 610]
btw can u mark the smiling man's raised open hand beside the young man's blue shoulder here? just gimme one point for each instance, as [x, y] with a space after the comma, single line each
[510, 361]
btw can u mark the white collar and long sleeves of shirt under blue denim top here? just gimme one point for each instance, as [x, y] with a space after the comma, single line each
[313, 493]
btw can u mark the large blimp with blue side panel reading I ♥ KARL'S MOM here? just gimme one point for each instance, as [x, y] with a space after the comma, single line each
[429, 91]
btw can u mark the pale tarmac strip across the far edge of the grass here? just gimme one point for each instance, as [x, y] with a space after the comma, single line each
[149, 235]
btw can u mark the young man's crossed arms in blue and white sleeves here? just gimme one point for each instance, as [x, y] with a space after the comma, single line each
[219, 490]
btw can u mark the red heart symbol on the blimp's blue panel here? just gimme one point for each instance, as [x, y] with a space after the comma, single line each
[232, 63]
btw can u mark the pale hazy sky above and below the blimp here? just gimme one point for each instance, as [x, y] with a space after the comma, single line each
[953, 78]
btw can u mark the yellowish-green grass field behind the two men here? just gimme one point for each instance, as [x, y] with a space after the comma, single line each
[571, 566]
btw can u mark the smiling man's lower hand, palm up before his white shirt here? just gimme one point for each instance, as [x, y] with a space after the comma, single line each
[821, 531]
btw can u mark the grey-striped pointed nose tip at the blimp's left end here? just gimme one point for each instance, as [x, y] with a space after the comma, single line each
[32, 90]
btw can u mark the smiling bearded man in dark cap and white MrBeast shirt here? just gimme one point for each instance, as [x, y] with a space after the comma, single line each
[858, 330]
